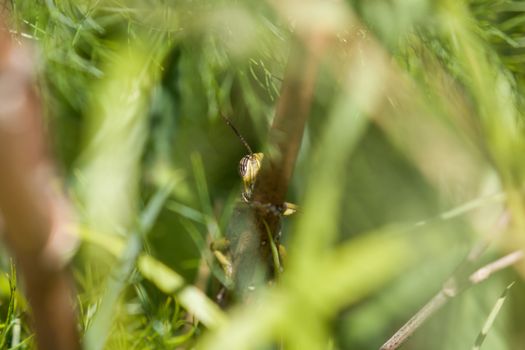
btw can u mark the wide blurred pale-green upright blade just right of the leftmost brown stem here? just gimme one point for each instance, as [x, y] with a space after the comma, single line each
[115, 136]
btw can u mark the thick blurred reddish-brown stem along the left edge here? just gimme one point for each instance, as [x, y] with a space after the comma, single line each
[34, 213]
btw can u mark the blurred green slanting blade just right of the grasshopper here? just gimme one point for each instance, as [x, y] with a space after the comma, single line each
[317, 227]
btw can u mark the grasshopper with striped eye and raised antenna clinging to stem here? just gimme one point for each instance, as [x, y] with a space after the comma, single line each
[238, 250]
